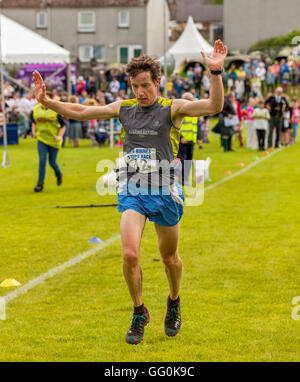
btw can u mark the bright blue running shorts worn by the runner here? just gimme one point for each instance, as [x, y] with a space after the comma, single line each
[165, 208]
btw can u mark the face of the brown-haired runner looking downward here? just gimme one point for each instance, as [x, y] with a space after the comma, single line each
[144, 89]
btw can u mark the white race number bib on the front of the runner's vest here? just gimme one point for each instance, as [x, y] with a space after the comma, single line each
[142, 160]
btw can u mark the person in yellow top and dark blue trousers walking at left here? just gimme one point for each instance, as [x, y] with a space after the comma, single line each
[48, 128]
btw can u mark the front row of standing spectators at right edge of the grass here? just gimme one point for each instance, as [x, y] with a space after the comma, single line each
[270, 122]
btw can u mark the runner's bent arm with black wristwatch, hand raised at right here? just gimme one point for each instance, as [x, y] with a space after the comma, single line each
[214, 104]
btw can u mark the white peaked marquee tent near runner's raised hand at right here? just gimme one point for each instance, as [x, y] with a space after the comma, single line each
[189, 45]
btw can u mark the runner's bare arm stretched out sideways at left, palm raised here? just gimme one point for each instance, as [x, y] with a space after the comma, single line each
[72, 110]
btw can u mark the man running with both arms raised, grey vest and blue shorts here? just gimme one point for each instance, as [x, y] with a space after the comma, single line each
[151, 127]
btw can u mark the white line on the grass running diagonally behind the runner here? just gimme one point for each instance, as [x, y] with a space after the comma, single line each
[82, 256]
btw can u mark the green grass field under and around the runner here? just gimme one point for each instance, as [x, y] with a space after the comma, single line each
[240, 251]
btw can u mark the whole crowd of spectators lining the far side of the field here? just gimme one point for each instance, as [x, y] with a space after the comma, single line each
[246, 84]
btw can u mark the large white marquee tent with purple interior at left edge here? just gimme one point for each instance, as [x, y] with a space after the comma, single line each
[20, 45]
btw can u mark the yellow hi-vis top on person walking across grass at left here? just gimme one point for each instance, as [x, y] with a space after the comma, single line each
[47, 126]
